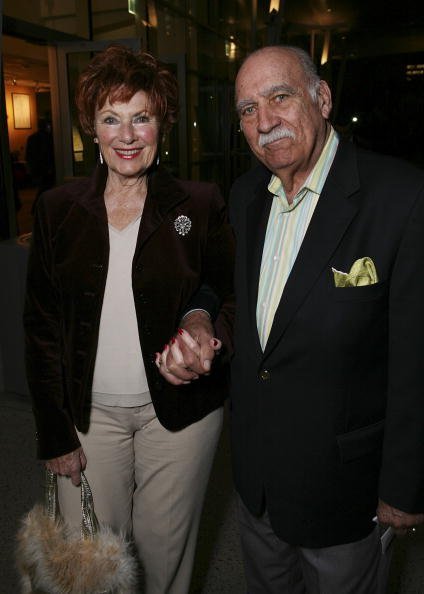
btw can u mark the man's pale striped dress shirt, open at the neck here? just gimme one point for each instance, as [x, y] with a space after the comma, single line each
[287, 225]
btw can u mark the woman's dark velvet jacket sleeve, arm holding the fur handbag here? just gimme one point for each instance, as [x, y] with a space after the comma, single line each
[56, 434]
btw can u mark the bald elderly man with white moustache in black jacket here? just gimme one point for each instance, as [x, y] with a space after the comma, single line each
[327, 379]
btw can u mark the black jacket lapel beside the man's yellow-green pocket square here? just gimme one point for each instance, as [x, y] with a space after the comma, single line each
[333, 214]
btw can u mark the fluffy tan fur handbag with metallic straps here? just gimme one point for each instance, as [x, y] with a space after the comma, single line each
[55, 559]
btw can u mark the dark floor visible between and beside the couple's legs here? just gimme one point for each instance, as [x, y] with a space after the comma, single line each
[218, 567]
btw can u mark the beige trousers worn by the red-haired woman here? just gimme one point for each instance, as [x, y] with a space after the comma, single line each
[150, 483]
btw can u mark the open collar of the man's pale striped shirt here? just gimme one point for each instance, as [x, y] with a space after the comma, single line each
[316, 179]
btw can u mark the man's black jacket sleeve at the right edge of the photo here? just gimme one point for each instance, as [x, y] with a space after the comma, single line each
[402, 472]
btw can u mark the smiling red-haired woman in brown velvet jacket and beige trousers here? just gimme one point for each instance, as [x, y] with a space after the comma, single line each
[115, 260]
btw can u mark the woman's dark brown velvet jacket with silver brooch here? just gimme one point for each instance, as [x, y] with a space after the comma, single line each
[65, 285]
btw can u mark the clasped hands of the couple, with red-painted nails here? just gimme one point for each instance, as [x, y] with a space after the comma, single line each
[190, 352]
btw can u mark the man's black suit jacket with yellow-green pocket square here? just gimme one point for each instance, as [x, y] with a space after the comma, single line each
[331, 415]
